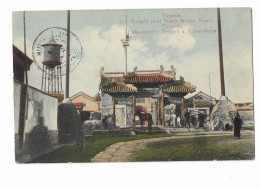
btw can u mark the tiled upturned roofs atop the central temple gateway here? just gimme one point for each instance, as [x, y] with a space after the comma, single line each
[115, 83]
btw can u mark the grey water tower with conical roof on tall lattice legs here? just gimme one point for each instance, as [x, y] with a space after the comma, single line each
[51, 79]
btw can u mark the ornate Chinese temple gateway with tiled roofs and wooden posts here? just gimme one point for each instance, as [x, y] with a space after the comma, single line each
[154, 88]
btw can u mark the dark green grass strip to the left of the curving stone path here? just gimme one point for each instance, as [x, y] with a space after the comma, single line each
[93, 145]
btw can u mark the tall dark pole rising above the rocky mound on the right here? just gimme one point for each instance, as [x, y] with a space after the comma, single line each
[222, 79]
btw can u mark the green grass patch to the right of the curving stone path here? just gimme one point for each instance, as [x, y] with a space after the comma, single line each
[197, 149]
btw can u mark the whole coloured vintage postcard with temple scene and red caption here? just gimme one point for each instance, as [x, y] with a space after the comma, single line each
[133, 85]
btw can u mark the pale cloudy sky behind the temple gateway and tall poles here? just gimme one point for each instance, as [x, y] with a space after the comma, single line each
[194, 55]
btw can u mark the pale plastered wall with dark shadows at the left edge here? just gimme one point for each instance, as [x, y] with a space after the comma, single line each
[35, 121]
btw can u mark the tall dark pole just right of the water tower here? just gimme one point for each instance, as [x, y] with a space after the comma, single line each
[68, 56]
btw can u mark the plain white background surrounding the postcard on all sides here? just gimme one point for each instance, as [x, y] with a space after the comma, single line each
[224, 174]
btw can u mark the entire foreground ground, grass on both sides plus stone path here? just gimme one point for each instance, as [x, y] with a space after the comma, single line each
[178, 146]
